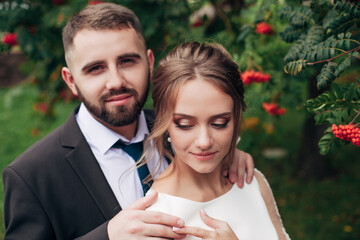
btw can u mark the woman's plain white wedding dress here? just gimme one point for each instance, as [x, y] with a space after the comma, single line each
[242, 208]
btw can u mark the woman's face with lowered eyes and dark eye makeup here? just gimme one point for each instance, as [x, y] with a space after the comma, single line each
[202, 126]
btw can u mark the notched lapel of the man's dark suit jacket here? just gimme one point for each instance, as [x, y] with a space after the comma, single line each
[87, 168]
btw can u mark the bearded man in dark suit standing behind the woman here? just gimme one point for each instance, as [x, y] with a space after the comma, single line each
[74, 183]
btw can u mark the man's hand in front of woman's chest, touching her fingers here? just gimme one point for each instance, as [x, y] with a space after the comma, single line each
[135, 223]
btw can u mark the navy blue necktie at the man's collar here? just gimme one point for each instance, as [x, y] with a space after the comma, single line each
[135, 150]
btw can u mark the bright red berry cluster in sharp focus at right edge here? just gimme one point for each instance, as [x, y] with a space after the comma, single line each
[348, 132]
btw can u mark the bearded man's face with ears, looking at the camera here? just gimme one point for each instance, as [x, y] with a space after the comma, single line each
[109, 71]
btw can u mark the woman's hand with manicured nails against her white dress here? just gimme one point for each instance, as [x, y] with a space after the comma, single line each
[222, 230]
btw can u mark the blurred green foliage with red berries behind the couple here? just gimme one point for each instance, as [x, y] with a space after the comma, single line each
[311, 39]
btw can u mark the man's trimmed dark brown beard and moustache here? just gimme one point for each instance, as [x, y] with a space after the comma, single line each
[121, 115]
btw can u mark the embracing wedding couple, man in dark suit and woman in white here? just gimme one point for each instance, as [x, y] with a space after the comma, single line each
[82, 182]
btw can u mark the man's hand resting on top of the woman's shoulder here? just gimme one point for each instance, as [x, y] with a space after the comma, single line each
[242, 162]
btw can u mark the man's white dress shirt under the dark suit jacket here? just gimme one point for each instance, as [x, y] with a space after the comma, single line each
[117, 166]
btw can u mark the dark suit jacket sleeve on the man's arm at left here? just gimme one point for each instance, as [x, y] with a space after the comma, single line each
[25, 217]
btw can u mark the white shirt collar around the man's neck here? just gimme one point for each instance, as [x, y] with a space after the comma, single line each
[101, 137]
